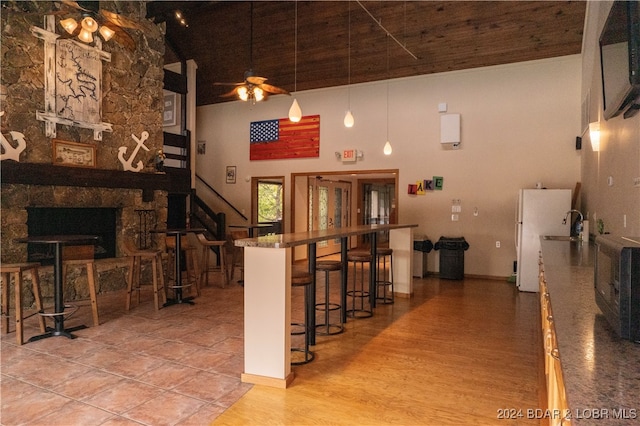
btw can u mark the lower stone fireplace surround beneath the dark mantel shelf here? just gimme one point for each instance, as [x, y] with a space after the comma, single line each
[19, 202]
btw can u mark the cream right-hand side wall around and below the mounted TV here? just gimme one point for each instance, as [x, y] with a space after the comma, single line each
[619, 155]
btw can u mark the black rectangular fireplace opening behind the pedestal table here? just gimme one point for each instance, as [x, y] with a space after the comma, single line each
[71, 221]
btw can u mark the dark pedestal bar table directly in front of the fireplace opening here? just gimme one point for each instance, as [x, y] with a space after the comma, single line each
[58, 315]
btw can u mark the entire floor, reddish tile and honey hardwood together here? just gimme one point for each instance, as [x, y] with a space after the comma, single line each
[455, 353]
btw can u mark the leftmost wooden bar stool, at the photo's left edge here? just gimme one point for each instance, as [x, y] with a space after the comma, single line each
[7, 270]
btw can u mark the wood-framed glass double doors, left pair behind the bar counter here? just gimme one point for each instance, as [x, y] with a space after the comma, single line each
[329, 207]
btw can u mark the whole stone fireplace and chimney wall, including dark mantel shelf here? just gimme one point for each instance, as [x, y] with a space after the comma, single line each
[131, 102]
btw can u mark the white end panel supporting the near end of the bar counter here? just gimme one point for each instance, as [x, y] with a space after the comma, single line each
[267, 316]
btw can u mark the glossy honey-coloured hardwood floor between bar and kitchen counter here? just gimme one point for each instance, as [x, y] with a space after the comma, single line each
[458, 352]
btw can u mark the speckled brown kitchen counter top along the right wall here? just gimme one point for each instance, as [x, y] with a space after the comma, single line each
[601, 371]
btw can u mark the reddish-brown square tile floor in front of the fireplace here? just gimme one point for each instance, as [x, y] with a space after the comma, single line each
[177, 366]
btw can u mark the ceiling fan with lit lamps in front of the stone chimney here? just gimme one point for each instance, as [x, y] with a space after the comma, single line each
[94, 19]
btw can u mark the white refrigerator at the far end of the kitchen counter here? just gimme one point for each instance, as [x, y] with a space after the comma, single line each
[539, 212]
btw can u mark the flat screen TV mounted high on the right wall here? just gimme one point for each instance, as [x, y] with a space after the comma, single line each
[620, 60]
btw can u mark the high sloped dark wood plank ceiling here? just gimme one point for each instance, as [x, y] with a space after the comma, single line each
[340, 41]
